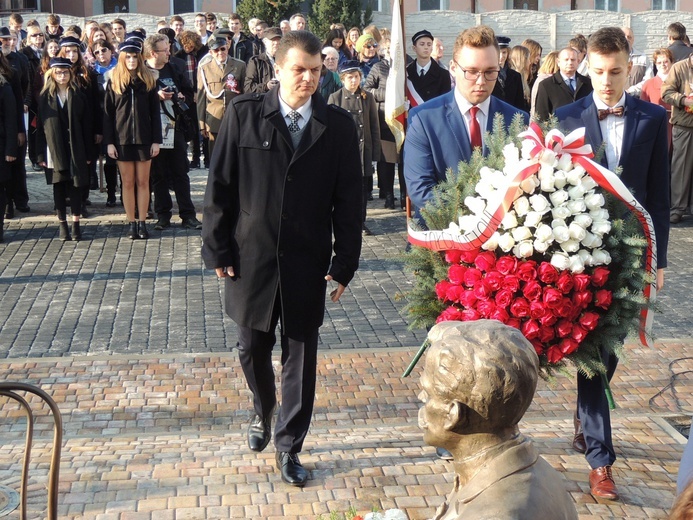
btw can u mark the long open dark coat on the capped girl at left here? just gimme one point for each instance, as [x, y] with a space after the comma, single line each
[49, 134]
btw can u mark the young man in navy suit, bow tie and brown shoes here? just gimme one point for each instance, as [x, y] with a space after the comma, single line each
[635, 136]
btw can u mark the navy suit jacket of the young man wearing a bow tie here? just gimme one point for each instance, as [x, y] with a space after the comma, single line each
[644, 156]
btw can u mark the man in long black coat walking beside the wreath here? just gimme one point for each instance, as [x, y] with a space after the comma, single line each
[279, 187]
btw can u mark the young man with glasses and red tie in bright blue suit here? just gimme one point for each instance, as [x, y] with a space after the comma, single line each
[443, 131]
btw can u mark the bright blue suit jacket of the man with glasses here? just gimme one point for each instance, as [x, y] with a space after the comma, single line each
[437, 139]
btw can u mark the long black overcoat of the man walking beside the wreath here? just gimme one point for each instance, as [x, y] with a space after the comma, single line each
[271, 212]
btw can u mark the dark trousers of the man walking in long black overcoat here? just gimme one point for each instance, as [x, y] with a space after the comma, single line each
[299, 360]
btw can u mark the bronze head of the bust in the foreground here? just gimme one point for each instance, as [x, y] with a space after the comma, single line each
[479, 378]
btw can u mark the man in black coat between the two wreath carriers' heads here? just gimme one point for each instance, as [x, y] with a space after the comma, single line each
[563, 88]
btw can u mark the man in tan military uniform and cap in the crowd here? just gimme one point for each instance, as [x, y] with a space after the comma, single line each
[219, 80]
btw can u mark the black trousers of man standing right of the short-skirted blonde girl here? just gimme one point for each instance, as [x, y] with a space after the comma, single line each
[170, 172]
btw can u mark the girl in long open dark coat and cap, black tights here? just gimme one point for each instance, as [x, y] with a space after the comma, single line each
[63, 141]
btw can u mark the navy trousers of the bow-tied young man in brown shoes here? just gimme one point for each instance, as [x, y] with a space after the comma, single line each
[594, 415]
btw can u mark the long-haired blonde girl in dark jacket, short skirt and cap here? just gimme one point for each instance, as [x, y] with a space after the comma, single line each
[132, 129]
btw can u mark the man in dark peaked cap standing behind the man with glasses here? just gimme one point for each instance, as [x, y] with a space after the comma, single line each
[427, 78]
